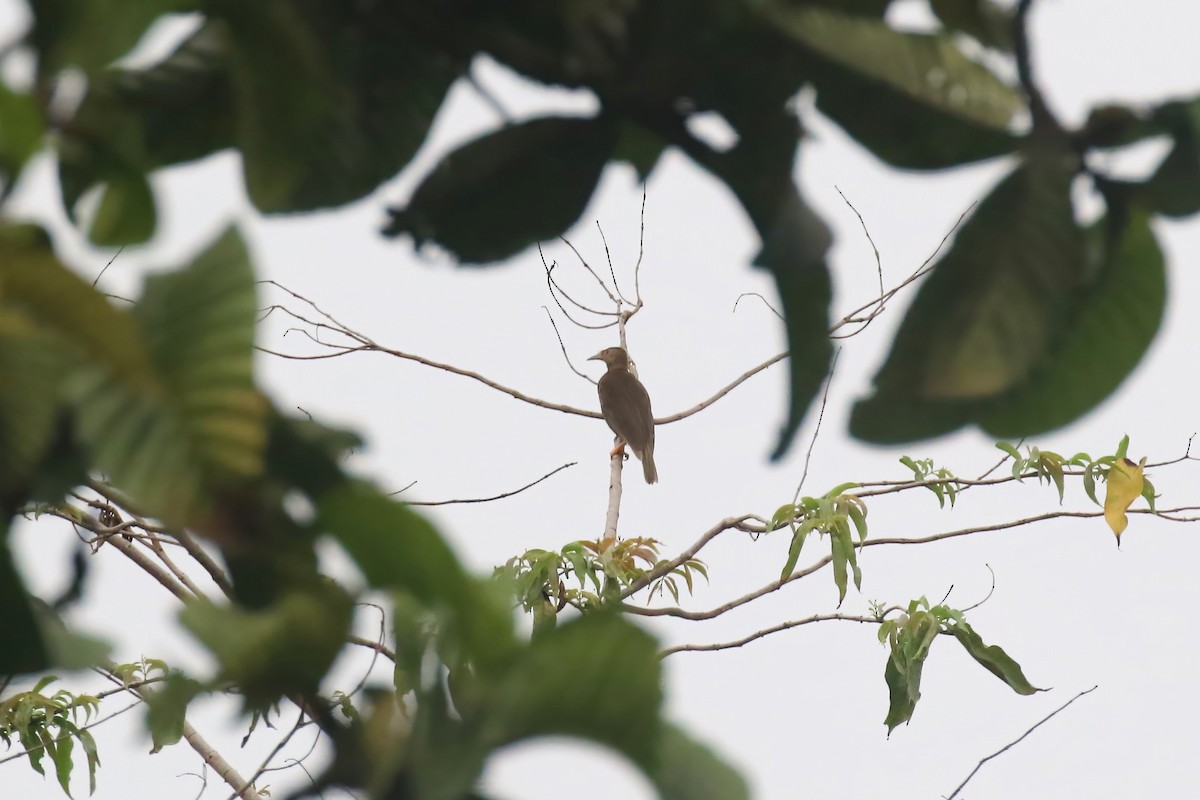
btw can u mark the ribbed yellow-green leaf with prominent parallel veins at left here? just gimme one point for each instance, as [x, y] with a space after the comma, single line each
[203, 424]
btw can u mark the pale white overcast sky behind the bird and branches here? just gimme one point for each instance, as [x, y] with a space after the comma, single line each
[800, 713]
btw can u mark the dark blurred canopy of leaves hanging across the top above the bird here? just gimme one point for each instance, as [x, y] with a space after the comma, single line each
[328, 101]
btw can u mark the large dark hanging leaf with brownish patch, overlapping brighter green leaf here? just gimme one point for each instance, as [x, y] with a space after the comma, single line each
[991, 314]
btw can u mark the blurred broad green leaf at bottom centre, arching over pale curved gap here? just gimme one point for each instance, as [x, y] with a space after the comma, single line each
[597, 677]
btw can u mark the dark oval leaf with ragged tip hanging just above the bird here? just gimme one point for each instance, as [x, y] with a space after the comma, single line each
[508, 190]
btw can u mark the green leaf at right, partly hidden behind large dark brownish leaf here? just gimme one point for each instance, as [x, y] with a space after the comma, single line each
[1117, 318]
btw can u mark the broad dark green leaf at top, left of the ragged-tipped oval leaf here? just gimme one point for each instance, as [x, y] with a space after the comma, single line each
[332, 100]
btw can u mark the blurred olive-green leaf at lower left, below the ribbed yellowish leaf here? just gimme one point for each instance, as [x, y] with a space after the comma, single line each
[281, 649]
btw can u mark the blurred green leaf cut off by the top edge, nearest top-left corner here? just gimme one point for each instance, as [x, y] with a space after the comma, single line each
[92, 34]
